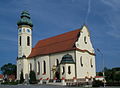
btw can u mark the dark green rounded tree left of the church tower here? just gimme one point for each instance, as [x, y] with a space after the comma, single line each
[9, 69]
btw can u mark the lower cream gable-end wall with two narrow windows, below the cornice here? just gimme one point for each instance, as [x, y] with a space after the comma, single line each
[86, 70]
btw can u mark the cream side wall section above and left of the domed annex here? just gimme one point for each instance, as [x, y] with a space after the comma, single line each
[58, 56]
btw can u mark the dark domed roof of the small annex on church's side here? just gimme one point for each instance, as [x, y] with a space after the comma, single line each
[67, 59]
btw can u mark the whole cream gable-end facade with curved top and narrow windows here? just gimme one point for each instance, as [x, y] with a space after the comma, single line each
[86, 70]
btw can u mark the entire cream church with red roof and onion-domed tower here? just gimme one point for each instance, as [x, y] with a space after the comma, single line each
[69, 55]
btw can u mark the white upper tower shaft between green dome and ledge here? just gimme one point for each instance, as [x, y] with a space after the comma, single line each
[24, 49]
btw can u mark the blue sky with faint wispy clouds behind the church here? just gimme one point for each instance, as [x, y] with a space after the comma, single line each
[53, 17]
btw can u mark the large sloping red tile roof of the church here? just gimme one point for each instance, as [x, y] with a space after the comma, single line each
[59, 43]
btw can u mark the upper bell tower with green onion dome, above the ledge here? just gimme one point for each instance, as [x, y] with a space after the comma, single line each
[24, 35]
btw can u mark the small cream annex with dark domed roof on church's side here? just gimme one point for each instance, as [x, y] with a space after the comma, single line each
[67, 67]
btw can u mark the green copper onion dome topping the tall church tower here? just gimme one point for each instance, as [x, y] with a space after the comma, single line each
[25, 19]
